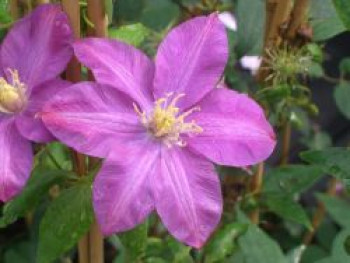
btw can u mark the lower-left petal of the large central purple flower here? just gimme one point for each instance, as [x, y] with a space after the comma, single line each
[122, 195]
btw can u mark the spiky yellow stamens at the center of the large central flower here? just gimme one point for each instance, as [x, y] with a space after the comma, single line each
[165, 121]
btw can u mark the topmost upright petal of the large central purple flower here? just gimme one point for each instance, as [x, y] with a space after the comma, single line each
[191, 59]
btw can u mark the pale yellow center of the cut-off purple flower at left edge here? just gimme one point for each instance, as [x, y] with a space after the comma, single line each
[12, 94]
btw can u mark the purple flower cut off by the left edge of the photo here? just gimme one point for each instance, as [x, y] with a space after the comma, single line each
[33, 54]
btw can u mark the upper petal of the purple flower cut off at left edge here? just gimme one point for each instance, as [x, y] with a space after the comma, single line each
[38, 46]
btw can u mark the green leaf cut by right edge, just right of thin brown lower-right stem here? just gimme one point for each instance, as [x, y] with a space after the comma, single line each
[338, 209]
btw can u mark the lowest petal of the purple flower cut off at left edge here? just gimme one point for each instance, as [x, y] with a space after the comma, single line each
[16, 158]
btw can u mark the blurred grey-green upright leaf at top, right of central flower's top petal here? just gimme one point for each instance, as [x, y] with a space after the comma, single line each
[251, 26]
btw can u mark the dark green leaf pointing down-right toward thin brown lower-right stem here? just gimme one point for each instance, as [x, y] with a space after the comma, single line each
[284, 206]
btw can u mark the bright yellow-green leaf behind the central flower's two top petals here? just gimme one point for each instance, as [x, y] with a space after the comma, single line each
[133, 34]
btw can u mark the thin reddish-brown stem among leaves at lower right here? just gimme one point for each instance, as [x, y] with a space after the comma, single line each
[320, 213]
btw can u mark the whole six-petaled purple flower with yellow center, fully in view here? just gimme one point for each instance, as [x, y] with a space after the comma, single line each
[160, 127]
